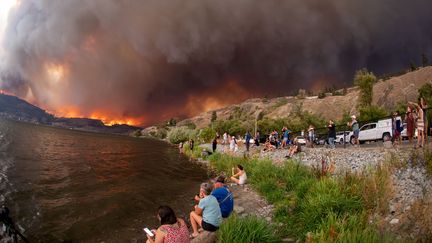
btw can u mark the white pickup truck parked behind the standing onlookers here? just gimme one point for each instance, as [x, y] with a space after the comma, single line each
[381, 130]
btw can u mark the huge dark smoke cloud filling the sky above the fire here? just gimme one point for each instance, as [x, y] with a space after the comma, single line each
[152, 58]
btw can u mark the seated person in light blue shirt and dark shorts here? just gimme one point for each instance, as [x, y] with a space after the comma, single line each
[207, 213]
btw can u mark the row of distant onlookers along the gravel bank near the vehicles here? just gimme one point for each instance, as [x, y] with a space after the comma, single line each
[415, 119]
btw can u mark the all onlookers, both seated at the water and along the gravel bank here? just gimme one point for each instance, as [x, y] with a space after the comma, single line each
[215, 201]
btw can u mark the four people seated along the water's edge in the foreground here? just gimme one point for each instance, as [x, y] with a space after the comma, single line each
[214, 202]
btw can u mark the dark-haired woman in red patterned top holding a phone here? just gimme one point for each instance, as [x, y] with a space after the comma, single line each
[172, 229]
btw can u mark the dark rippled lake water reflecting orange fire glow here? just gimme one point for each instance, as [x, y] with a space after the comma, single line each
[70, 186]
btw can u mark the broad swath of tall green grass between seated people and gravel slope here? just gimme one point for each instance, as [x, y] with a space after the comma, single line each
[324, 208]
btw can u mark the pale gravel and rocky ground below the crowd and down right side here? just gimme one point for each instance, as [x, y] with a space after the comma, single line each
[410, 183]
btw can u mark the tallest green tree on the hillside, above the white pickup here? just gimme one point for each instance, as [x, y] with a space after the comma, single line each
[365, 80]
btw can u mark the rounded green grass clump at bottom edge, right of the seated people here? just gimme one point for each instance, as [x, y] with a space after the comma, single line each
[248, 230]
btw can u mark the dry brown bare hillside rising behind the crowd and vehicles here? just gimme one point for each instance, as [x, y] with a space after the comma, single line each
[386, 94]
